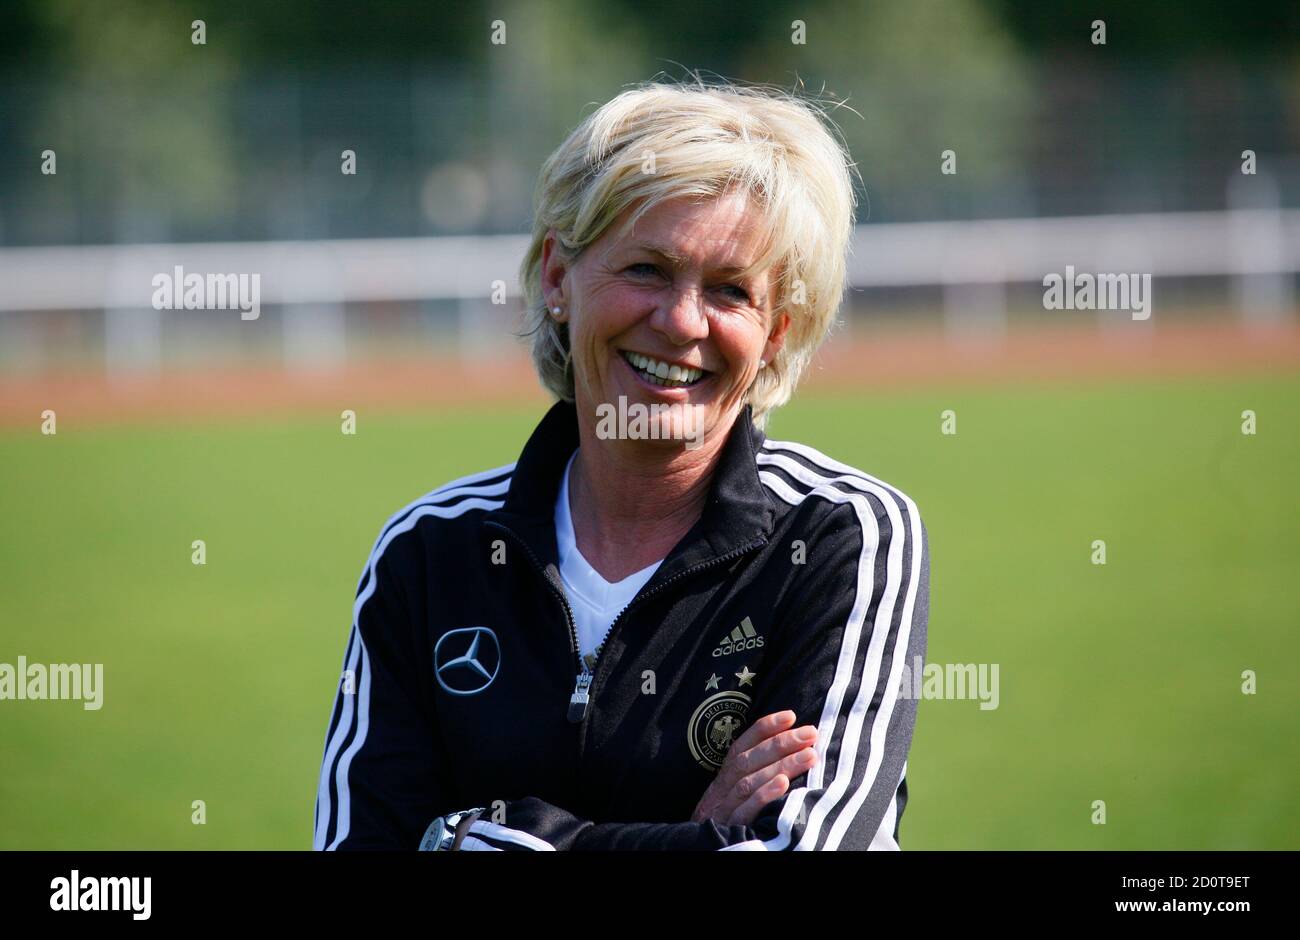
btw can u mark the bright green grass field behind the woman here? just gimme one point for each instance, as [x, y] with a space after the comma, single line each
[1119, 683]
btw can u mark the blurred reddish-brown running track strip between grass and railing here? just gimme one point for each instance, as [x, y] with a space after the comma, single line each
[885, 359]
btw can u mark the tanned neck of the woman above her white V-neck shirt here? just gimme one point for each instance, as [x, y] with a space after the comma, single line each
[634, 501]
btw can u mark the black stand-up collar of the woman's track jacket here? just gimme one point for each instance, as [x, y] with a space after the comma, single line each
[738, 514]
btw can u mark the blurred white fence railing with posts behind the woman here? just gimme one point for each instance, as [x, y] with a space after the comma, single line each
[972, 261]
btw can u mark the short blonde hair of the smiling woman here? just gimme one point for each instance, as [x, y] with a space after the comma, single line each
[705, 141]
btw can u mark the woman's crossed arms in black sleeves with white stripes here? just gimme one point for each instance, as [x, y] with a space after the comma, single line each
[863, 618]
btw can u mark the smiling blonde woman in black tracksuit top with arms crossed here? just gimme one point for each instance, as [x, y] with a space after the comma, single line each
[658, 630]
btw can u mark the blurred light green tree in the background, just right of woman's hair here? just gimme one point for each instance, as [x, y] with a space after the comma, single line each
[922, 79]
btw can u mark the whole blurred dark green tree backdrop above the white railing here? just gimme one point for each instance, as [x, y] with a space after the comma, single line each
[240, 137]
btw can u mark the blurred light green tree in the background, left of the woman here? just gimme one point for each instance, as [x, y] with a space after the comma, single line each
[138, 110]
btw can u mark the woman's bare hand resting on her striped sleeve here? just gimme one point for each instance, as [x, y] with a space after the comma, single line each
[759, 769]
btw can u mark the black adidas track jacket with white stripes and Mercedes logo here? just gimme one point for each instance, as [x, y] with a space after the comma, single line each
[804, 586]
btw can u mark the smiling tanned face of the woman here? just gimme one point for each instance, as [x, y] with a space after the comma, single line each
[661, 314]
